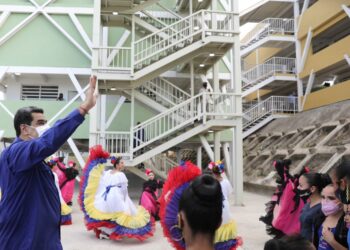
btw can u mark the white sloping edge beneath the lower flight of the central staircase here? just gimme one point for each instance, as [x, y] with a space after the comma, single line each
[201, 128]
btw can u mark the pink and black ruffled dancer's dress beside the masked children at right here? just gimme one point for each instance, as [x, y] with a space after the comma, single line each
[284, 209]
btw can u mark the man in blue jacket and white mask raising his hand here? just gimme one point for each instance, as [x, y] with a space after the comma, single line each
[29, 202]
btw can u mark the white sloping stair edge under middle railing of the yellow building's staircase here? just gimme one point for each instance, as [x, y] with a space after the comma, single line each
[273, 83]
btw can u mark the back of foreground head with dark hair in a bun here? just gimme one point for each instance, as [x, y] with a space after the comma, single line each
[202, 204]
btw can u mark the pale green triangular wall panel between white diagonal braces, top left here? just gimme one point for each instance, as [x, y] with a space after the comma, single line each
[41, 44]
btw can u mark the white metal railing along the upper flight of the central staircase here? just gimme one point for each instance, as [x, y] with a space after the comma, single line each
[203, 23]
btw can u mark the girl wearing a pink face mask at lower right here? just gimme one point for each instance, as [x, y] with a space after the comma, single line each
[330, 231]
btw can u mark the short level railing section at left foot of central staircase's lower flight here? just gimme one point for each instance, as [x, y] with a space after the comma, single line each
[115, 142]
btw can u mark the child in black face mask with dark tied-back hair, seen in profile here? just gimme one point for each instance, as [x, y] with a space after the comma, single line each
[309, 189]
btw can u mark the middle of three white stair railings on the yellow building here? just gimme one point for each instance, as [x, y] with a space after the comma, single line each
[270, 67]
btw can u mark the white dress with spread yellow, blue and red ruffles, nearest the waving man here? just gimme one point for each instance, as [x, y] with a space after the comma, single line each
[106, 204]
